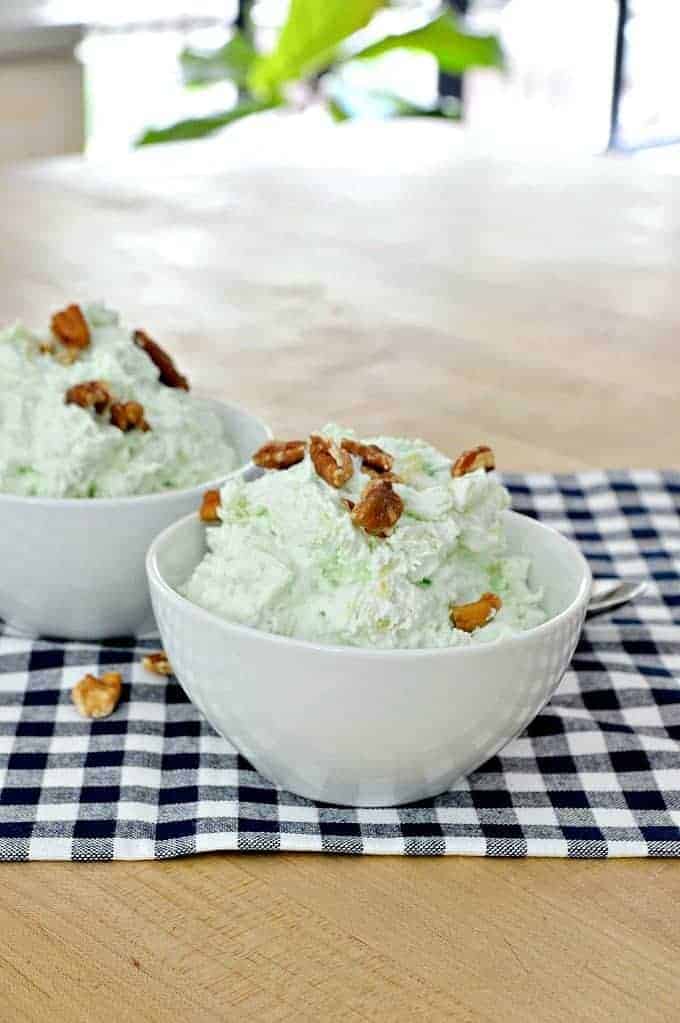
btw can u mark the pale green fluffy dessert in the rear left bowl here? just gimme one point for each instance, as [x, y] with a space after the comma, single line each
[53, 450]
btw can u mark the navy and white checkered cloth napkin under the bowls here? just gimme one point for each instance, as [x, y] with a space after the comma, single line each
[598, 774]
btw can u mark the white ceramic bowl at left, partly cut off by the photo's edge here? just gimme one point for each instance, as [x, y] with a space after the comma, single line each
[75, 567]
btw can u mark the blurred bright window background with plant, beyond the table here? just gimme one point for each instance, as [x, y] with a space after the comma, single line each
[554, 76]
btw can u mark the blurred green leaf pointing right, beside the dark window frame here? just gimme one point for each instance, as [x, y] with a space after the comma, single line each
[456, 51]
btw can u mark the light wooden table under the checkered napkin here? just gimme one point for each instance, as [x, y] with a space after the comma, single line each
[393, 281]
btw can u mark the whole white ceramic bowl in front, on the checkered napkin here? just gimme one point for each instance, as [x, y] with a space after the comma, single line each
[368, 728]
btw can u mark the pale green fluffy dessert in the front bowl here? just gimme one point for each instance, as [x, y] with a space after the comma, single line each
[288, 559]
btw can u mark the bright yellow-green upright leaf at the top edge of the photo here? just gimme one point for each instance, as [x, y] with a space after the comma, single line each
[308, 40]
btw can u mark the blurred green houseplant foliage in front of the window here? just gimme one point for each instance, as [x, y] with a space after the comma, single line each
[319, 40]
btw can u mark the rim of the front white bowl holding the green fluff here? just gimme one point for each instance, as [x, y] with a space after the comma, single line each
[578, 605]
